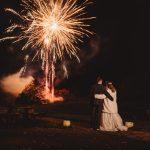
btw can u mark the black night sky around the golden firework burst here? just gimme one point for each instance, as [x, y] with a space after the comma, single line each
[122, 34]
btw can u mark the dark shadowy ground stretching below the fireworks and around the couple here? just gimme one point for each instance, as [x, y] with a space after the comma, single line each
[46, 132]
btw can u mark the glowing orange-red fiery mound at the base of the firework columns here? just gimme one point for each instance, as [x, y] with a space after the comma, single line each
[34, 93]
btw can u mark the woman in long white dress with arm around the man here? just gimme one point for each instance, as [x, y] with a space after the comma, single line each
[110, 119]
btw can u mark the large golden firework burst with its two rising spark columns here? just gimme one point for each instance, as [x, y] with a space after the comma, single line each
[53, 28]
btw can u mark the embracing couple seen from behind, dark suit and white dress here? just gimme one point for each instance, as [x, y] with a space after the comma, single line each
[105, 116]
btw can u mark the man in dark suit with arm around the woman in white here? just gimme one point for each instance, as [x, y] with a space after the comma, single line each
[97, 104]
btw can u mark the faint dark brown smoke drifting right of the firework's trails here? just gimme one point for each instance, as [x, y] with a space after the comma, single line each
[73, 67]
